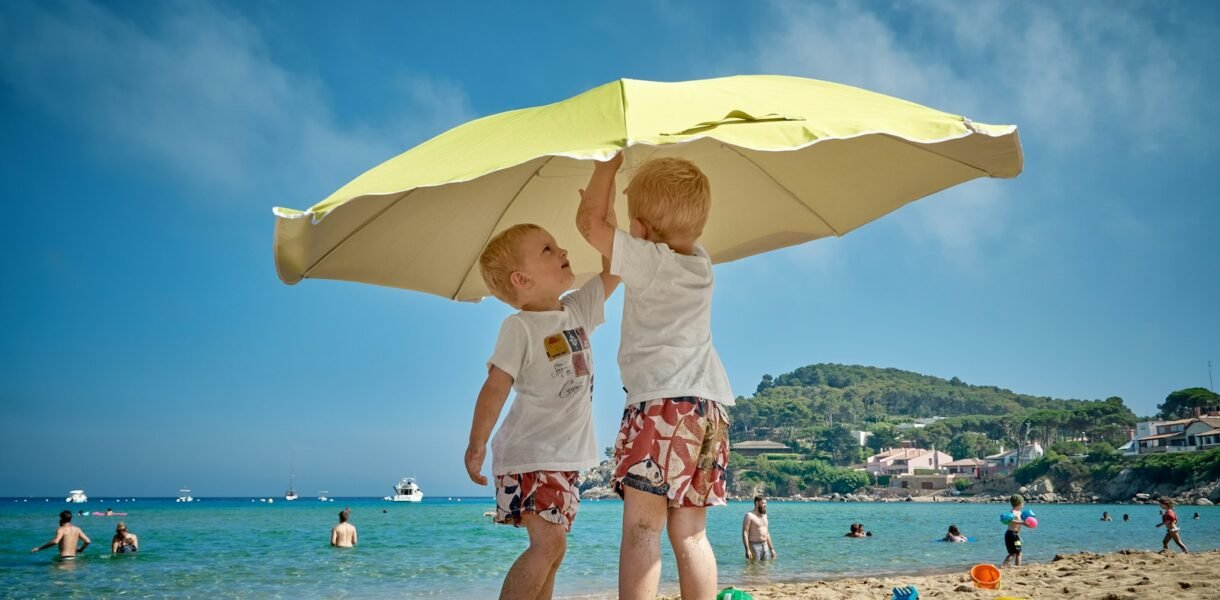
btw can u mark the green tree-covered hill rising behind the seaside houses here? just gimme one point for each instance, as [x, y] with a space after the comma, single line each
[817, 405]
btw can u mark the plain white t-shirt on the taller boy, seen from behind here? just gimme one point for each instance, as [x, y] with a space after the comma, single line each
[667, 324]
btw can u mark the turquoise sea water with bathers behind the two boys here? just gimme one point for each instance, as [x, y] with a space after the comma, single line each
[447, 549]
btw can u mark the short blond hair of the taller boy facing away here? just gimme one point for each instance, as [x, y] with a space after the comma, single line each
[673, 197]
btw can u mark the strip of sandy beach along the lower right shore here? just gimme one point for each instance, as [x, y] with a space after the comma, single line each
[1127, 575]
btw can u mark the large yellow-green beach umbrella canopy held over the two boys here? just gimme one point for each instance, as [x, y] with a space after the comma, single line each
[790, 160]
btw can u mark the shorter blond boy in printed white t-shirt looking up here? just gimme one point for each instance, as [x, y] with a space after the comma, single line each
[542, 353]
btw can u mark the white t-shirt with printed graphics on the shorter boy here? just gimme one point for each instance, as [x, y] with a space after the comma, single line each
[550, 426]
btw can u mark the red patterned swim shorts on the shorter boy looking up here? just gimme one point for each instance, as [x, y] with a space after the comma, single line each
[553, 496]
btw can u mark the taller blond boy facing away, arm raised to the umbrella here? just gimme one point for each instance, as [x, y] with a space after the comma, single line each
[673, 446]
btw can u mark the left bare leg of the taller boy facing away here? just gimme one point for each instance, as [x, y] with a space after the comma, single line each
[640, 555]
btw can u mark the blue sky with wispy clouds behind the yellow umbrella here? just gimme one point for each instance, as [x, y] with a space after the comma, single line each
[148, 343]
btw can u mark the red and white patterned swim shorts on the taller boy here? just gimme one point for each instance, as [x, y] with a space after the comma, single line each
[675, 448]
